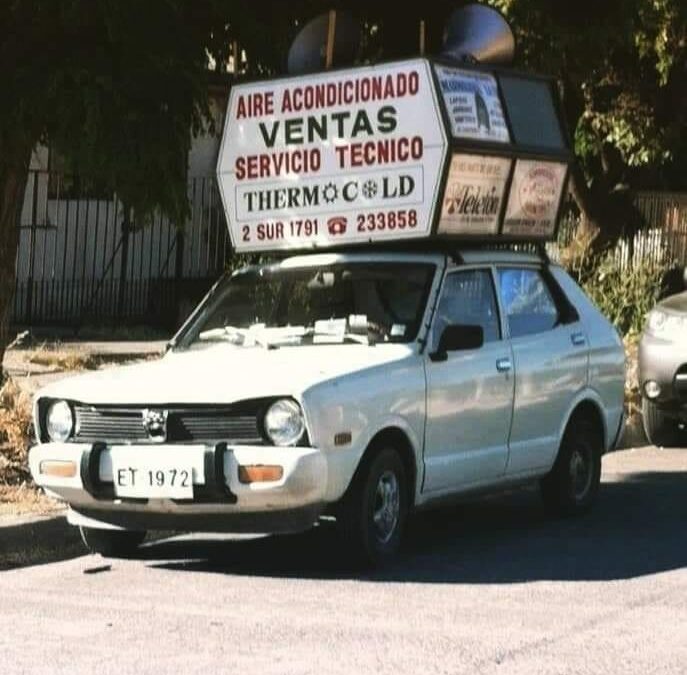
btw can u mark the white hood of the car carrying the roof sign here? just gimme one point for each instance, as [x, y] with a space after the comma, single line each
[223, 374]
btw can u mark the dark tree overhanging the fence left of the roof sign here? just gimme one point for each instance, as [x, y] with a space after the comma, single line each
[116, 87]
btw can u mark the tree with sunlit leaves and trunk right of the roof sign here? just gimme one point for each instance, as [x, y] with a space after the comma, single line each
[621, 65]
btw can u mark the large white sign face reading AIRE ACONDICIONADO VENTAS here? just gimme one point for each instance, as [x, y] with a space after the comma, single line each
[333, 158]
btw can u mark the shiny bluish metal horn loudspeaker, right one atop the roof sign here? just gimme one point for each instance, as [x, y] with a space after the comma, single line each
[479, 33]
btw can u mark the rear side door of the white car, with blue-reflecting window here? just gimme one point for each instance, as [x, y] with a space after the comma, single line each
[550, 356]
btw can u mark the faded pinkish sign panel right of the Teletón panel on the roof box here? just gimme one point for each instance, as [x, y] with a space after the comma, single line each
[534, 199]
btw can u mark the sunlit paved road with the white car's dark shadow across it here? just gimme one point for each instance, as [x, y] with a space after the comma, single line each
[489, 587]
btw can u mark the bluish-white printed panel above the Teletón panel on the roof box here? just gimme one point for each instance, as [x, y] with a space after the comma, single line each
[473, 104]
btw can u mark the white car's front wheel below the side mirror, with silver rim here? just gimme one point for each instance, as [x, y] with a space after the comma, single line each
[374, 510]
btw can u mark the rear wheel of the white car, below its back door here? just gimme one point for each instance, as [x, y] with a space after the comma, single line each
[571, 487]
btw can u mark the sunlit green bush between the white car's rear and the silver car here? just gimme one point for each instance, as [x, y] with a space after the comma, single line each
[625, 296]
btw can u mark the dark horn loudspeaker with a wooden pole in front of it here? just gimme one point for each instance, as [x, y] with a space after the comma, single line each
[308, 53]
